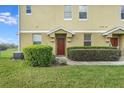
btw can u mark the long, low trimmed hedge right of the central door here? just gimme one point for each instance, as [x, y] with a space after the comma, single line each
[94, 54]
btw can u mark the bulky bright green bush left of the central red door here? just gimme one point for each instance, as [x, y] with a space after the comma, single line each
[38, 55]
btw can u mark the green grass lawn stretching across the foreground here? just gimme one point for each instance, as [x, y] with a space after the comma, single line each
[18, 74]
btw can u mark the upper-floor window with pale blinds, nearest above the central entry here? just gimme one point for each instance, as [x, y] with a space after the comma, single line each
[67, 12]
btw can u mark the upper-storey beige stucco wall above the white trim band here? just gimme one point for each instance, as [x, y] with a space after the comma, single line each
[46, 17]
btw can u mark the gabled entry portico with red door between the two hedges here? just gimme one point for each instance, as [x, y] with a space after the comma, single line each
[60, 37]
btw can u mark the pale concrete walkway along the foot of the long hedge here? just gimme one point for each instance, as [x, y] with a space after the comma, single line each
[120, 62]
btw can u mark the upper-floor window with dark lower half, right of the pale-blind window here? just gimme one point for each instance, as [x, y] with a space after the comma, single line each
[82, 12]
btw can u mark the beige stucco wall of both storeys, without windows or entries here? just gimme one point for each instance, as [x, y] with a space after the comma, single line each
[47, 17]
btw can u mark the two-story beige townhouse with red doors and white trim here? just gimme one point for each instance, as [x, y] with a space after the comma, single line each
[62, 26]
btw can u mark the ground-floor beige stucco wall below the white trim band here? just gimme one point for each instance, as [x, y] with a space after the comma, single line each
[76, 40]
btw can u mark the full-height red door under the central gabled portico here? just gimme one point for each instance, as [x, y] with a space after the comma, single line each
[60, 44]
